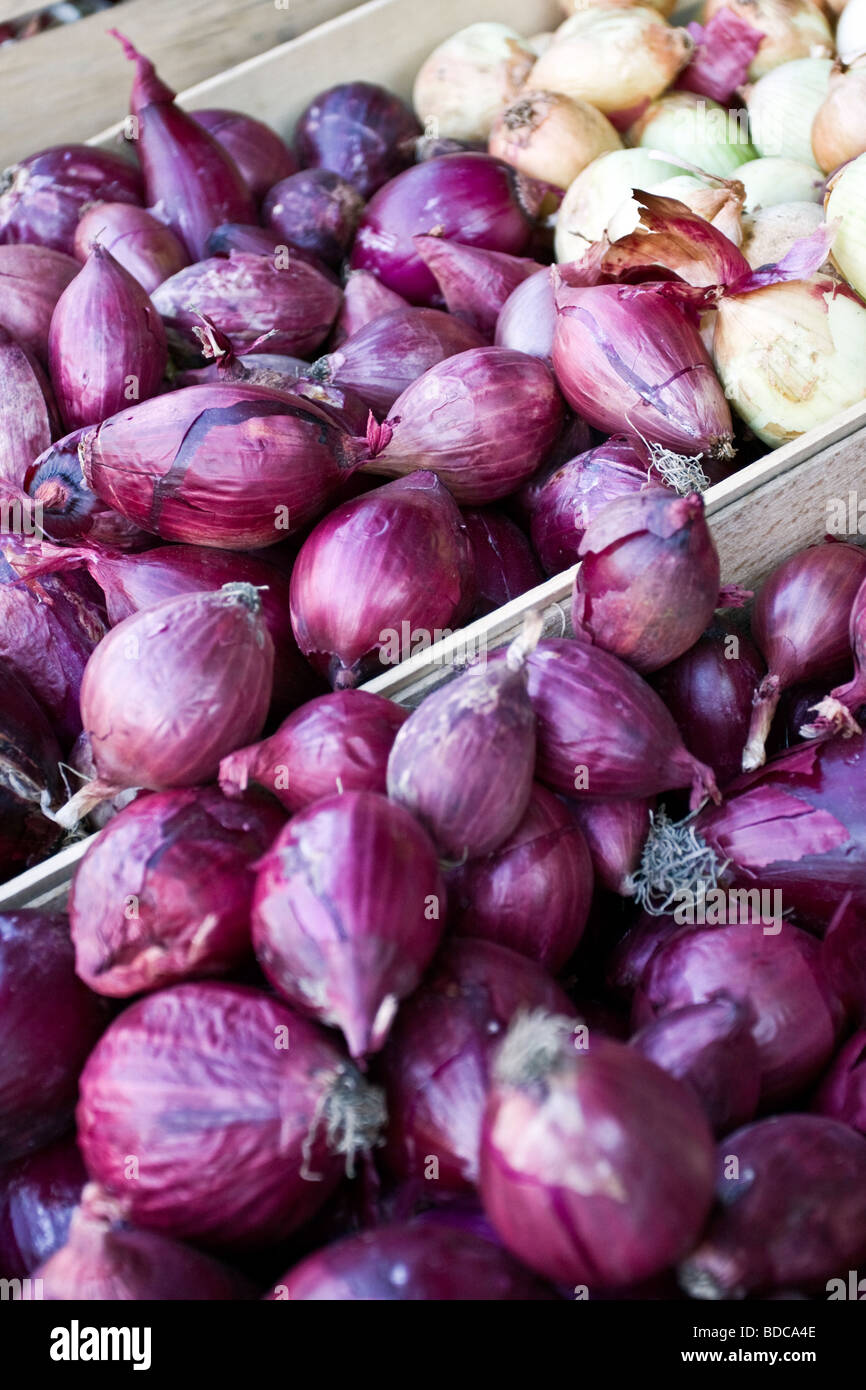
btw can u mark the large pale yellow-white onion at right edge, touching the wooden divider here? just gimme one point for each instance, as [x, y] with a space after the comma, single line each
[792, 357]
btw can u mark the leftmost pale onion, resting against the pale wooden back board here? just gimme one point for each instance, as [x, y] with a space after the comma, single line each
[468, 80]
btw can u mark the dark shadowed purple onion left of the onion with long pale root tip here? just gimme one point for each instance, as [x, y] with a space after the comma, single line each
[710, 693]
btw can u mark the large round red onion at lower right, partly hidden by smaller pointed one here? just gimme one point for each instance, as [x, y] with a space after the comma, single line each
[779, 981]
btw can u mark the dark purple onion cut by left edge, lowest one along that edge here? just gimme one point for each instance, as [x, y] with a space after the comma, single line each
[38, 1195]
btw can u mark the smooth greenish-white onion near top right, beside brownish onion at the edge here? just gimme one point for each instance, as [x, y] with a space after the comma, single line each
[783, 106]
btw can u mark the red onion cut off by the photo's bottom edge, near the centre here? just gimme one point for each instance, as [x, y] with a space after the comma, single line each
[414, 1263]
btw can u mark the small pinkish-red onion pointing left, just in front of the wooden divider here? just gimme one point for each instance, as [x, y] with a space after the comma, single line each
[334, 743]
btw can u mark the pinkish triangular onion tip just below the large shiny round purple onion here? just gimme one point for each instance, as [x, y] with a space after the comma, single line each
[475, 283]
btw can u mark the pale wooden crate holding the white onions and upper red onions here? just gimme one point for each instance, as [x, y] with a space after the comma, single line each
[758, 518]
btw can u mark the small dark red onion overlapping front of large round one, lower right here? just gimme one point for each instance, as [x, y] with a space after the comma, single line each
[712, 1050]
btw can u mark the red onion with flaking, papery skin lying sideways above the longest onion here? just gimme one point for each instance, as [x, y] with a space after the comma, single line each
[251, 295]
